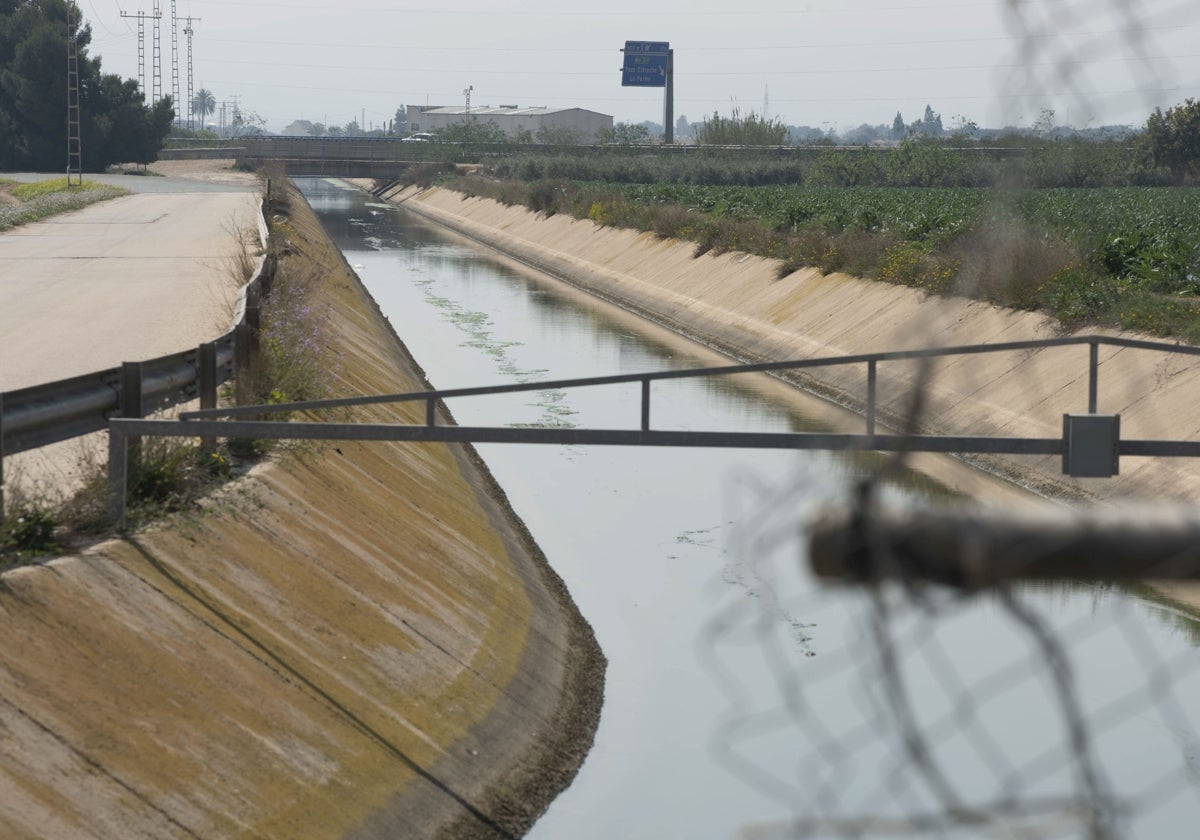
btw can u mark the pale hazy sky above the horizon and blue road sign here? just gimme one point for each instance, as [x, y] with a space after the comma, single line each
[820, 63]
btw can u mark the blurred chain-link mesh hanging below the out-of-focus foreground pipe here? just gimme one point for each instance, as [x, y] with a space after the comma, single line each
[913, 709]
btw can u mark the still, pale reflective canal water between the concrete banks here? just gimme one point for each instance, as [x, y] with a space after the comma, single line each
[743, 698]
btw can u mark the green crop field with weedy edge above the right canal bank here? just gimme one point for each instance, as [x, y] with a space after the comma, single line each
[1120, 256]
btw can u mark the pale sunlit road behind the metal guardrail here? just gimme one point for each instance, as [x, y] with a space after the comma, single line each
[125, 280]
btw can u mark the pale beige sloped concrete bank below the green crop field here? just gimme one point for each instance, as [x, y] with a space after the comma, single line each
[736, 303]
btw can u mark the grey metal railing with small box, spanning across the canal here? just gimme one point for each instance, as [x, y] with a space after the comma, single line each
[1085, 453]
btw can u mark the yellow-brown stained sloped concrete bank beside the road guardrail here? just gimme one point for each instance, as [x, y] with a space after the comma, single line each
[359, 641]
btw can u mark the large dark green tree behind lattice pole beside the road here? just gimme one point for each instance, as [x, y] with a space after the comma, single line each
[116, 125]
